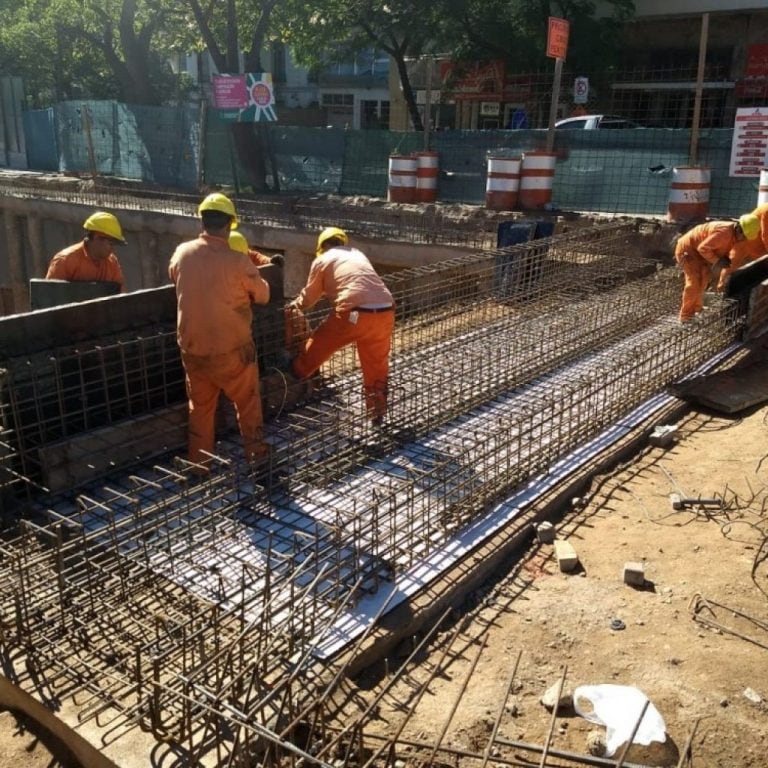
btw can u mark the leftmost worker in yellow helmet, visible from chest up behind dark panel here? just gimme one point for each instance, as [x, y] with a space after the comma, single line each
[93, 257]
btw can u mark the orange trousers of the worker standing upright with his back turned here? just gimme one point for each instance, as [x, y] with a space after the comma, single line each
[237, 376]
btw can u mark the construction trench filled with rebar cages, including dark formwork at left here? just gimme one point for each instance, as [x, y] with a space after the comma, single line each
[150, 617]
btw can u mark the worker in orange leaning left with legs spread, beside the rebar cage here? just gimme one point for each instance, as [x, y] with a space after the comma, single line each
[363, 314]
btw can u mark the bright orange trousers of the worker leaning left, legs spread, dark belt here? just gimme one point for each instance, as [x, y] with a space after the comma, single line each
[372, 336]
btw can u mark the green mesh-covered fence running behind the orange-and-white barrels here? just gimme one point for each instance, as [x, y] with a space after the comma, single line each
[608, 171]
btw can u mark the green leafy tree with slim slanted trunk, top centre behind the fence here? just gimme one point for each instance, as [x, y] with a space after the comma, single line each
[337, 29]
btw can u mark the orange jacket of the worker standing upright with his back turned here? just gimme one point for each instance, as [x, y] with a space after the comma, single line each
[215, 287]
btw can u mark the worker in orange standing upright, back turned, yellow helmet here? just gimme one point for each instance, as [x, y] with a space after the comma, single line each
[215, 287]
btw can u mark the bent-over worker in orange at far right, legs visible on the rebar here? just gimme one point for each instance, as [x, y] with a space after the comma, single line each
[705, 248]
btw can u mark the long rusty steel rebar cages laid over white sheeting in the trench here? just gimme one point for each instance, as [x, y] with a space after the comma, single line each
[207, 612]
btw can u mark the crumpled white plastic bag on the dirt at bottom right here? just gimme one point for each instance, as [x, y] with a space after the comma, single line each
[618, 708]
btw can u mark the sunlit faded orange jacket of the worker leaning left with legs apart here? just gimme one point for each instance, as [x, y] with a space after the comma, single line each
[346, 278]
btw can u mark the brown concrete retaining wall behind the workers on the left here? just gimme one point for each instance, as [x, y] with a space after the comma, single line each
[33, 230]
